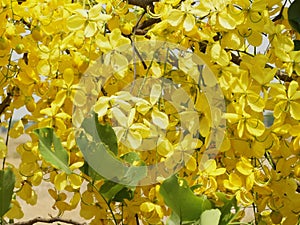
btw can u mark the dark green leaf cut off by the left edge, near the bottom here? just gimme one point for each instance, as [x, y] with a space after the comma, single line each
[7, 183]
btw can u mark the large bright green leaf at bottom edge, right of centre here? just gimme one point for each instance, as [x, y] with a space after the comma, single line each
[179, 197]
